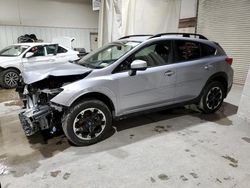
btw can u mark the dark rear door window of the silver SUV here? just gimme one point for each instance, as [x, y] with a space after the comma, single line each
[186, 50]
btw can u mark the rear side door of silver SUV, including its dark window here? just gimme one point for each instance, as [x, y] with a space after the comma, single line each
[193, 68]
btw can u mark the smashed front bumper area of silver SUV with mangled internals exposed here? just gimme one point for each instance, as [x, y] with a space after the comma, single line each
[39, 114]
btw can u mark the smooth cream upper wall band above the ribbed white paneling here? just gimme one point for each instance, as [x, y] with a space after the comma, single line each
[49, 13]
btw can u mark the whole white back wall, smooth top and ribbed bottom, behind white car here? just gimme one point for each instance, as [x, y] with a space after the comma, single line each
[47, 19]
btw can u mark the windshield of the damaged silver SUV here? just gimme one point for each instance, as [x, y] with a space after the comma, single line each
[107, 55]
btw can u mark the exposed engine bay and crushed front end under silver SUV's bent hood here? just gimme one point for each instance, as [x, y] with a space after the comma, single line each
[39, 113]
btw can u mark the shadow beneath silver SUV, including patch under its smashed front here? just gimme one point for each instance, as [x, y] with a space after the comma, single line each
[138, 128]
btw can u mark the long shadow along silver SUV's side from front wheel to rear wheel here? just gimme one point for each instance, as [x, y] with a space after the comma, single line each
[132, 130]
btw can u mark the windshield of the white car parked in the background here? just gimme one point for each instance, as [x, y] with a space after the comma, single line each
[12, 51]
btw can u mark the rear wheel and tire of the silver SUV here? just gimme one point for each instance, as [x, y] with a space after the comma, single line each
[212, 97]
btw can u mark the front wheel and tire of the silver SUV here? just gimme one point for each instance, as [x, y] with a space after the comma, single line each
[87, 122]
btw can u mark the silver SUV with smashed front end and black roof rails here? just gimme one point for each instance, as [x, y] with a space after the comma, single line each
[131, 75]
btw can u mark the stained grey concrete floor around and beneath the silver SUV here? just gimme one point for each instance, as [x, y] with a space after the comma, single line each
[177, 148]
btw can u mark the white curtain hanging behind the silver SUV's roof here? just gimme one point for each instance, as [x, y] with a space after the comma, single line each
[127, 17]
